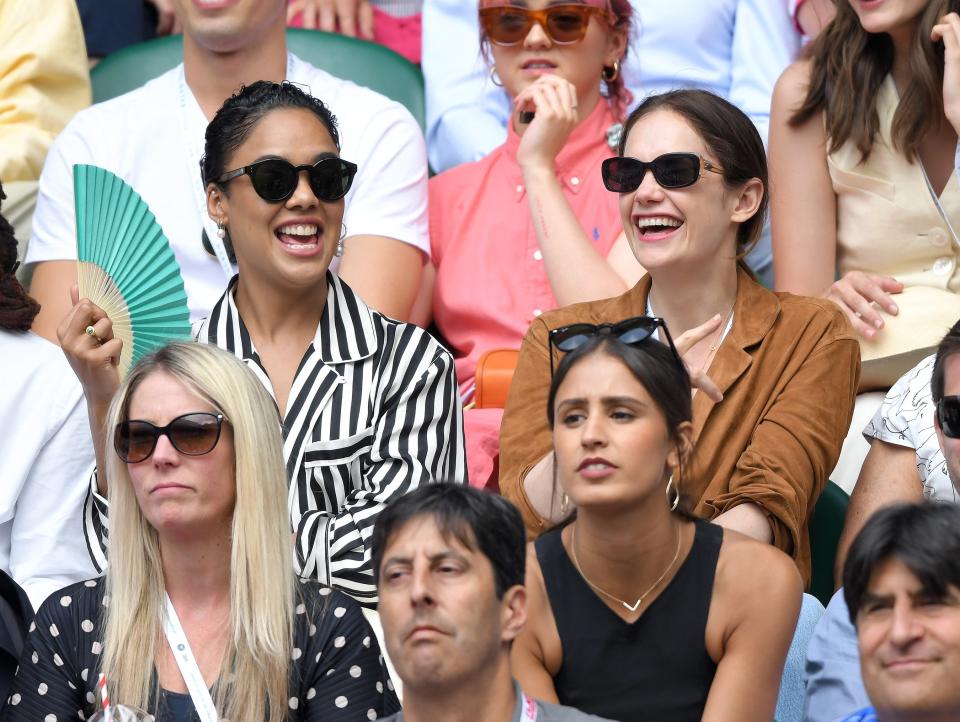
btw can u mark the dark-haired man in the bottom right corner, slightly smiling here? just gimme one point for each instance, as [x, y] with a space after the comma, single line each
[902, 586]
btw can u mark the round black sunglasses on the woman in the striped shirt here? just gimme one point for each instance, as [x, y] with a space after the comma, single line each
[275, 179]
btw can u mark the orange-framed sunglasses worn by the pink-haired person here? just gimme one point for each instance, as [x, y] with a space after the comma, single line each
[508, 25]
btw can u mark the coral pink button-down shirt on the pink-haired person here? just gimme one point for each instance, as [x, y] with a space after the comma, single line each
[491, 281]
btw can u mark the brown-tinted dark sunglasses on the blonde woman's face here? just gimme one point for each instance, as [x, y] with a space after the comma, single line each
[191, 434]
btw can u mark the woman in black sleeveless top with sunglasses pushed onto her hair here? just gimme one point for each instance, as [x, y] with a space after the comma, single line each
[637, 611]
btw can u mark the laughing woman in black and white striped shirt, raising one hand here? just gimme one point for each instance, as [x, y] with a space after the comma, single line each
[369, 405]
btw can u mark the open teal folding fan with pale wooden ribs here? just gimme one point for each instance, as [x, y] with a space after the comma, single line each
[126, 265]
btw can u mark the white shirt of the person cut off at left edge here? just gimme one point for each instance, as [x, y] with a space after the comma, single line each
[47, 457]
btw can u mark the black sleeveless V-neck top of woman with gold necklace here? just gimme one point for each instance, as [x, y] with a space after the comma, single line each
[656, 668]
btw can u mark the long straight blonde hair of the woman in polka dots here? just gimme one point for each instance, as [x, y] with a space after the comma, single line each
[262, 581]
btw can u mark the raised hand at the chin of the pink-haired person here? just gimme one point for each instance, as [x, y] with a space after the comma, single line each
[553, 102]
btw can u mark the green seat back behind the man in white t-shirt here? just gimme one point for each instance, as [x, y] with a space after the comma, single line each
[365, 63]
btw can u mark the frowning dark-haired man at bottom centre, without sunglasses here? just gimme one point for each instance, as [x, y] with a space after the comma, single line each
[449, 562]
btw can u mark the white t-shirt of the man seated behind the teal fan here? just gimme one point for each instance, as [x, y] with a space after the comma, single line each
[152, 137]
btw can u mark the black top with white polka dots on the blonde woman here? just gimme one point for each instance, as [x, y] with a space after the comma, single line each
[336, 673]
